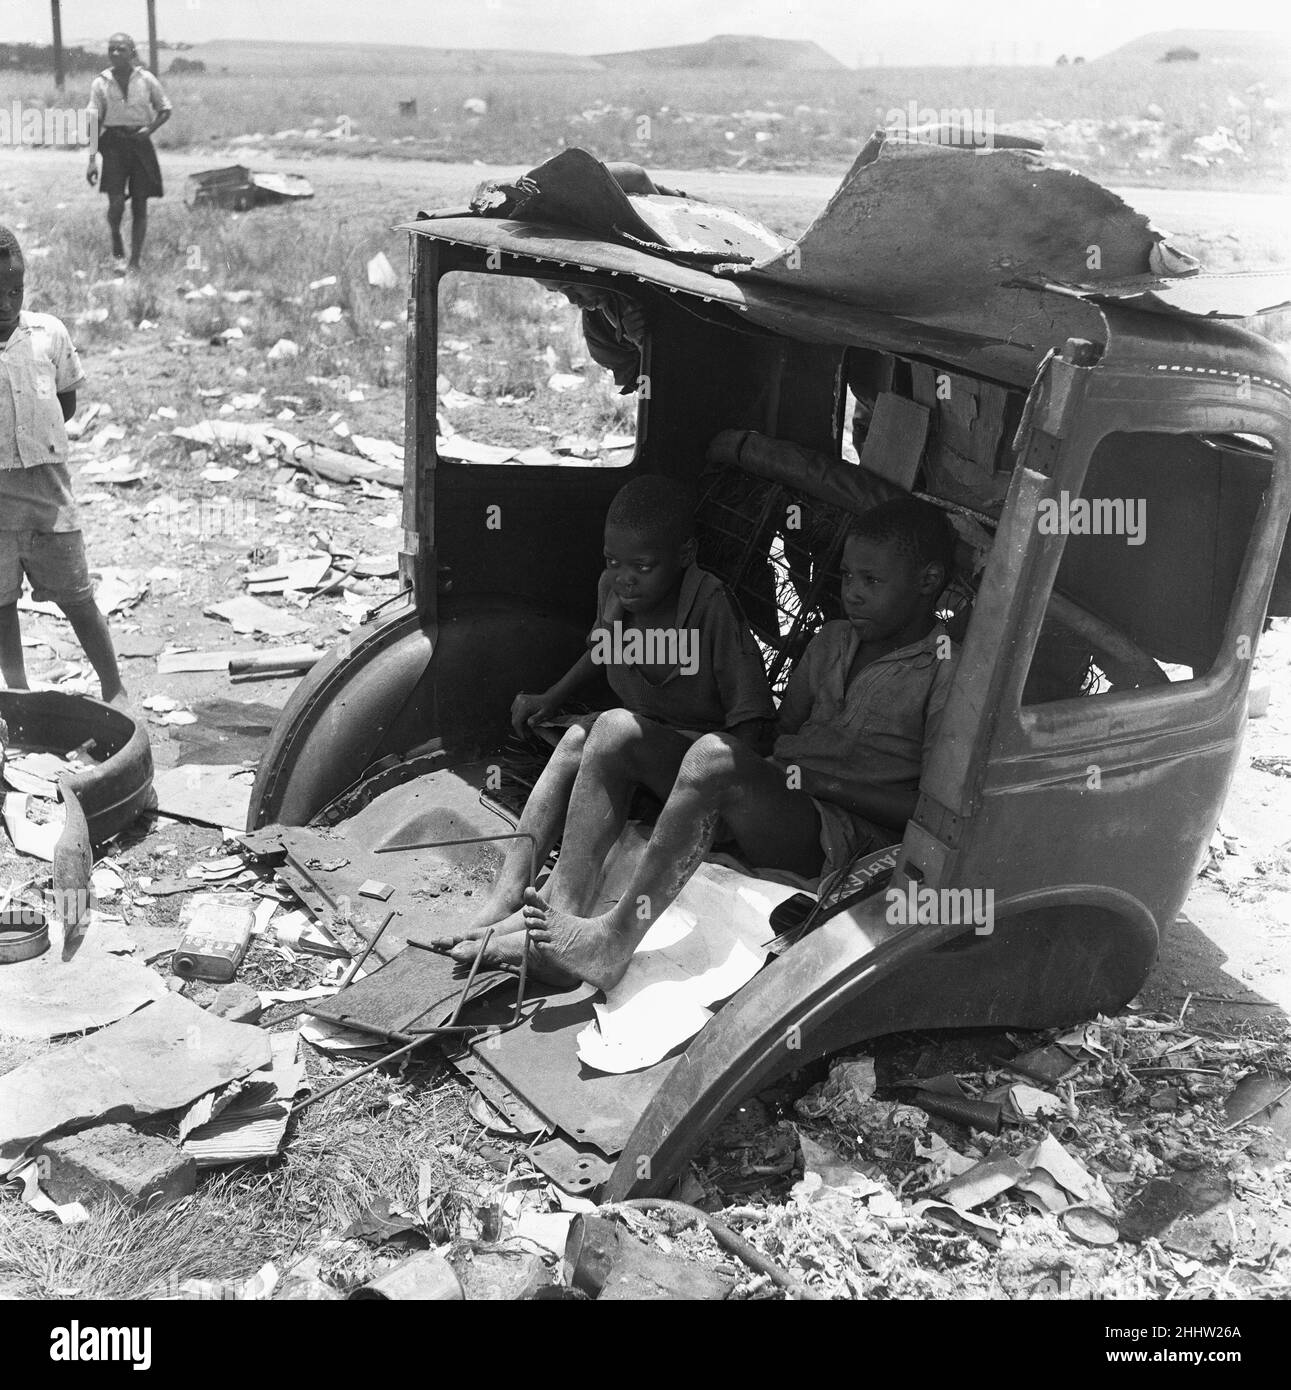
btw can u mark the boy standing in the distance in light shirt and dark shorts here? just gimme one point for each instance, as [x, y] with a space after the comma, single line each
[129, 105]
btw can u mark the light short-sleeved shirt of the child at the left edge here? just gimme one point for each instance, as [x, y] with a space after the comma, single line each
[37, 365]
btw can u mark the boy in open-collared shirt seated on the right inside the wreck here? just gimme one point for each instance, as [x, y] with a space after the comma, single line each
[860, 717]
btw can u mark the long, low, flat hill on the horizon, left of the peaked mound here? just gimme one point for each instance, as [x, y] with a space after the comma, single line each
[388, 59]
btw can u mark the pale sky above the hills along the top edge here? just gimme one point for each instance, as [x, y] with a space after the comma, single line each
[855, 31]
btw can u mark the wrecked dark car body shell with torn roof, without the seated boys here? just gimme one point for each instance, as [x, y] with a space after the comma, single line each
[1108, 432]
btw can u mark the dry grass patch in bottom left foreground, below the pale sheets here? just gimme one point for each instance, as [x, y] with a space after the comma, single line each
[369, 1142]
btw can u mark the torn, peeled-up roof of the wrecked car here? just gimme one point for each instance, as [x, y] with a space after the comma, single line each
[987, 259]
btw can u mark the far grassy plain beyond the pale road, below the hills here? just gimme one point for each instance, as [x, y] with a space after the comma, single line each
[1092, 116]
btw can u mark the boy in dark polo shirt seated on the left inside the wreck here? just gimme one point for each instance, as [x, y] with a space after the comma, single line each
[677, 654]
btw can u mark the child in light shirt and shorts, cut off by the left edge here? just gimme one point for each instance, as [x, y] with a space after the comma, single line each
[40, 528]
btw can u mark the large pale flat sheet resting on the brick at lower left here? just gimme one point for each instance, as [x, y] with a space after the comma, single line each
[158, 1060]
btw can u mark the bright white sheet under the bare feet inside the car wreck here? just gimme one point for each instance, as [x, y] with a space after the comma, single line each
[711, 943]
